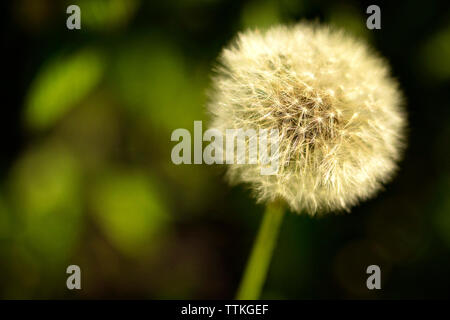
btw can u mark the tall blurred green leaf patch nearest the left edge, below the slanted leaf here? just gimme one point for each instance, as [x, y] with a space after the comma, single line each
[45, 190]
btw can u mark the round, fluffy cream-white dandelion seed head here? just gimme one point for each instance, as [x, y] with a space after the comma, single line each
[338, 112]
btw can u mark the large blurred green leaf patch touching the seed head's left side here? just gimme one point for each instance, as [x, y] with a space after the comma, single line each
[156, 85]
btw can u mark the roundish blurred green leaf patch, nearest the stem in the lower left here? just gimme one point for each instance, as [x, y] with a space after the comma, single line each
[129, 209]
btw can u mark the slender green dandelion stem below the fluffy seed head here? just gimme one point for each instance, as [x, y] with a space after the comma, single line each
[259, 261]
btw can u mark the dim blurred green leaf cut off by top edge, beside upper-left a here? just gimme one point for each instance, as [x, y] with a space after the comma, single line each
[106, 14]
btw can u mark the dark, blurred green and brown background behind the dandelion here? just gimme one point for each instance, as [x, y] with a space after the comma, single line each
[86, 175]
